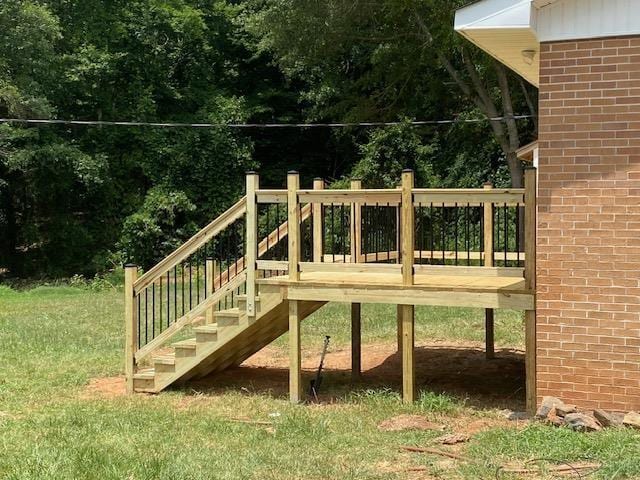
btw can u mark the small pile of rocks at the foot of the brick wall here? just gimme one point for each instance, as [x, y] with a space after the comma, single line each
[555, 411]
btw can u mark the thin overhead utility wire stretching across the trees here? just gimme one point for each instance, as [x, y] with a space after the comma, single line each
[99, 123]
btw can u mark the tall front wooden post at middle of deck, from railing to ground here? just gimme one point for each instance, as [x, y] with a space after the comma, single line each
[407, 312]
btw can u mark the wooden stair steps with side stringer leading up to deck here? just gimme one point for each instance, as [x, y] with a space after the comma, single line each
[229, 341]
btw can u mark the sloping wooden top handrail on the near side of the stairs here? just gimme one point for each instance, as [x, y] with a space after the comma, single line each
[193, 244]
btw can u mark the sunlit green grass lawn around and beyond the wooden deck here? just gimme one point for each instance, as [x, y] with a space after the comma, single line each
[54, 340]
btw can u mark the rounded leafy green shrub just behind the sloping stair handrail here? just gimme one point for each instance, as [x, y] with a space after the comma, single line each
[164, 221]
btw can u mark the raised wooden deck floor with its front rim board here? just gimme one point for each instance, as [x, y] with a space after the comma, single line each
[479, 290]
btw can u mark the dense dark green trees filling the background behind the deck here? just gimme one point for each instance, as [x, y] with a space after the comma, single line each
[82, 199]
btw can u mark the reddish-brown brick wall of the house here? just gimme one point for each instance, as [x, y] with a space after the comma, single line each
[588, 303]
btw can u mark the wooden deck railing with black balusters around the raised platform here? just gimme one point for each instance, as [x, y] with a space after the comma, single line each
[405, 230]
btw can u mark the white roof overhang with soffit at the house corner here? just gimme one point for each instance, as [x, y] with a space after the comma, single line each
[504, 29]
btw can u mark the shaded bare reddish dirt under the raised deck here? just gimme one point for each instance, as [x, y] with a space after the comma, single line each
[460, 372]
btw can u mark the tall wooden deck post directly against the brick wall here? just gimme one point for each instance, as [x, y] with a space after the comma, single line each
[530, 226]
